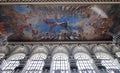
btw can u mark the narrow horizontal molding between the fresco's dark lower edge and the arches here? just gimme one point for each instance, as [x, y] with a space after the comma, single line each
[62, 42]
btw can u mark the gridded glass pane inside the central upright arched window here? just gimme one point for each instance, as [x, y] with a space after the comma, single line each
[60, 65]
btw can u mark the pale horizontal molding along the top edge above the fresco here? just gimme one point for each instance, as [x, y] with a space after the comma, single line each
[58, 3]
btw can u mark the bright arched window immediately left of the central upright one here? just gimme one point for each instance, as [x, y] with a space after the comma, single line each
[35, 63]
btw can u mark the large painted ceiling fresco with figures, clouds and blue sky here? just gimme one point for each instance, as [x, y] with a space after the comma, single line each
[59, 22]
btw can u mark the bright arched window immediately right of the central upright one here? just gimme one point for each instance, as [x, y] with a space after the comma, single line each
[84, 63]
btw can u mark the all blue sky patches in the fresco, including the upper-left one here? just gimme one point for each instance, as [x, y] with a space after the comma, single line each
[43, 27]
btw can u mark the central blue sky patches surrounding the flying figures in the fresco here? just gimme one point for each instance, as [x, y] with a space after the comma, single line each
[72, 23]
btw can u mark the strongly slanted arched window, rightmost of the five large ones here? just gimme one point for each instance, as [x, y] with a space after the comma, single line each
[108, 62]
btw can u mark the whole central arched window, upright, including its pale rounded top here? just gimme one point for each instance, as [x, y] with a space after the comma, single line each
[60, 63]
